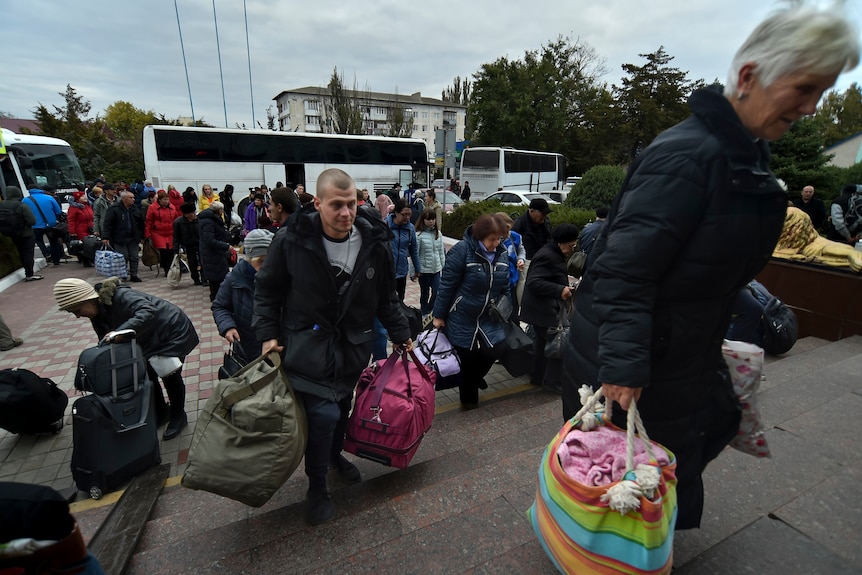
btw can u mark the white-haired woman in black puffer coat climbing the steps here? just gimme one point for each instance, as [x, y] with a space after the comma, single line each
[696, 219]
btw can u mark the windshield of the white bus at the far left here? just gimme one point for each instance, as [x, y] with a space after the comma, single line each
[48, 164]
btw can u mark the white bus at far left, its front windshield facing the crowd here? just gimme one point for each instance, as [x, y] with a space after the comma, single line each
[36, 161]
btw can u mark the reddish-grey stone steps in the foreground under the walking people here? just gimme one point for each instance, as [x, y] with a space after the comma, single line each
[460, 506]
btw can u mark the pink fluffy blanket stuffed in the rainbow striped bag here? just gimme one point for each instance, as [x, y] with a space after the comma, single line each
[598, 457]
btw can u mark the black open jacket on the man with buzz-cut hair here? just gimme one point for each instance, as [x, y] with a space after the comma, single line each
[327, 340]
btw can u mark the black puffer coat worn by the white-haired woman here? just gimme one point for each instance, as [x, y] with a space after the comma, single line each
[696, 220]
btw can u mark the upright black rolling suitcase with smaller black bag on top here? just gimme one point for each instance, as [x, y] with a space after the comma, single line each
[114, 434]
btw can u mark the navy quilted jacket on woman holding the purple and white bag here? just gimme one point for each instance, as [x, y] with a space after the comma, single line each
[467, 286]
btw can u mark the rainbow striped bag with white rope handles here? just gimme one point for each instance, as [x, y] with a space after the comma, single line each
[625, 527]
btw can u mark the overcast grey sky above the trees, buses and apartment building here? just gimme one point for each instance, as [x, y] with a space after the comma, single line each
[111, 50]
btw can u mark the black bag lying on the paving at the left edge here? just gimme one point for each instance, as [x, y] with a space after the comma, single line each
[30, 403]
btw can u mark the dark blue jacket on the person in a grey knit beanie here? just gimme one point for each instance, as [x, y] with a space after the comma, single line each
[233, 307]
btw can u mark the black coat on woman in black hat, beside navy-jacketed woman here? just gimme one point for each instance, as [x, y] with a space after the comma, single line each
[543, 292]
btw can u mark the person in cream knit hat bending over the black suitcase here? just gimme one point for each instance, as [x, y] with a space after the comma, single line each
[162, 329]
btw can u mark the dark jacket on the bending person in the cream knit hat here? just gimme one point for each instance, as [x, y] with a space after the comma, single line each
[162, 328]
